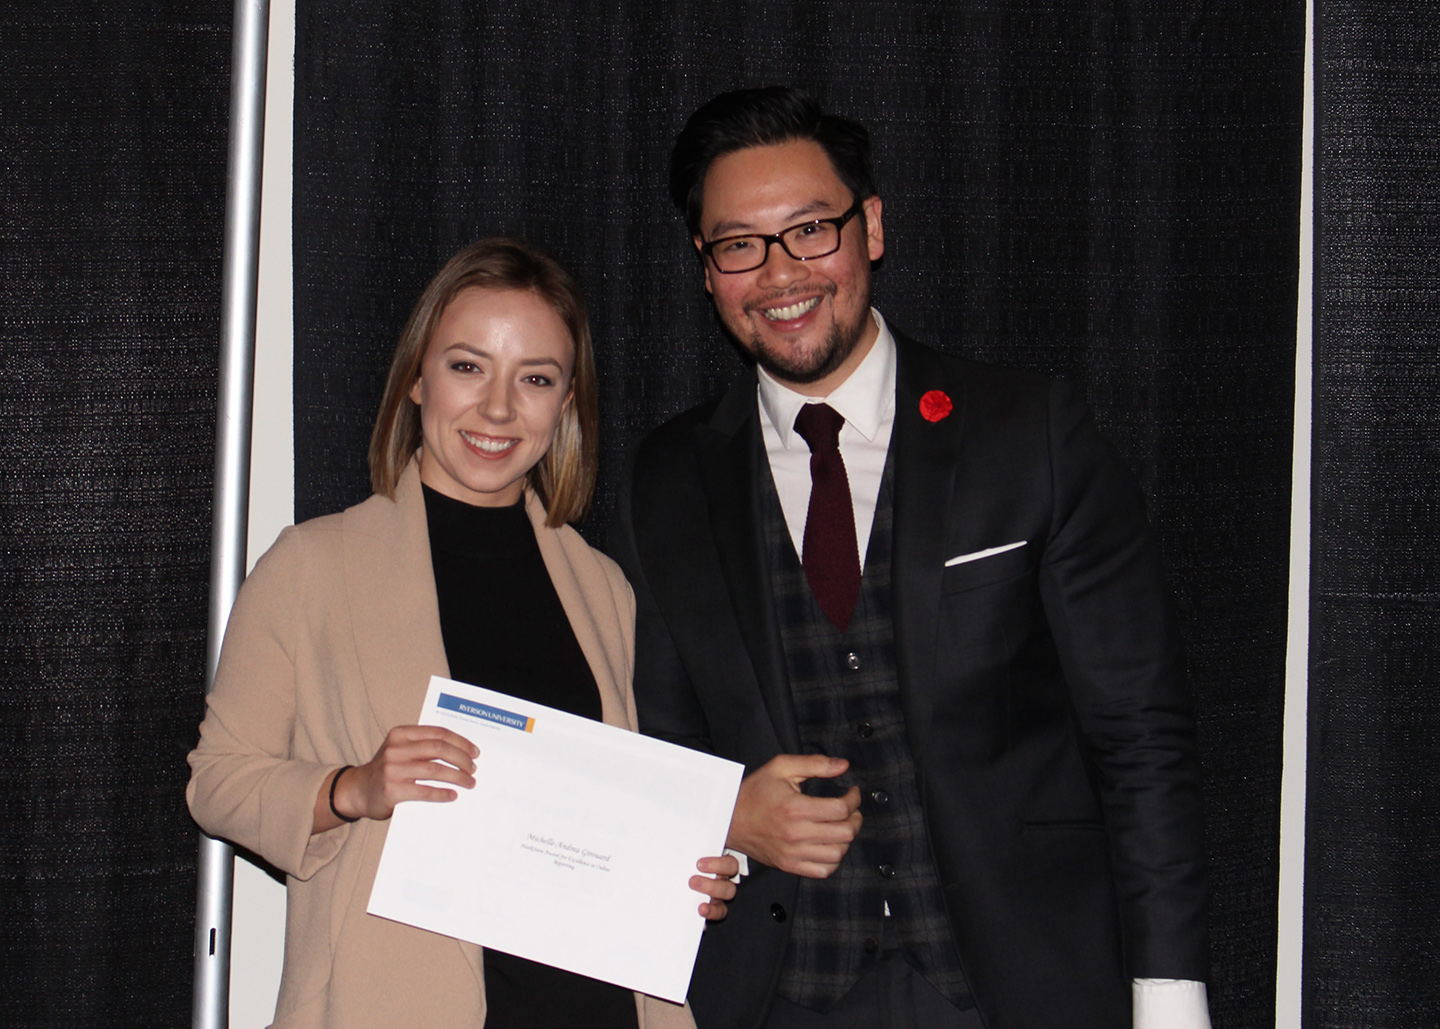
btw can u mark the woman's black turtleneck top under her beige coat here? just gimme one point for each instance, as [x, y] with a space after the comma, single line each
[505, 630]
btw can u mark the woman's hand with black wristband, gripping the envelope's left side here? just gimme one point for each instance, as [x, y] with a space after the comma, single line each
[410, 753]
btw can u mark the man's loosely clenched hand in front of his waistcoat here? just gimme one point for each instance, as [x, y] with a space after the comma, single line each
[778, 825]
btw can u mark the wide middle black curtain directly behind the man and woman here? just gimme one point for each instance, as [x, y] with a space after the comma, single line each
[1102, 191]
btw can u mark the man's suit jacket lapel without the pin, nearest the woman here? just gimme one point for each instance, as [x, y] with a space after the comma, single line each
[731, 455]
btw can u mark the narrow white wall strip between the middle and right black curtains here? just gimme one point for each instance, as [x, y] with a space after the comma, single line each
[1291, 943]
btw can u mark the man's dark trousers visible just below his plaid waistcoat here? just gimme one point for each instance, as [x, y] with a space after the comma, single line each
[891, 997]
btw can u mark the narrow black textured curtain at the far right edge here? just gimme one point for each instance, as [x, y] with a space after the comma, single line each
[1373, 820]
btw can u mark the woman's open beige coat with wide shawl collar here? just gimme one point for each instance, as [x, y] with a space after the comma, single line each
[332, 644]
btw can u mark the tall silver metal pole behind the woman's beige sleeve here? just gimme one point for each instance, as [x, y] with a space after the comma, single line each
[233, 464]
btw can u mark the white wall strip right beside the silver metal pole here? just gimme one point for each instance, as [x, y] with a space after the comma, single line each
[258, 920]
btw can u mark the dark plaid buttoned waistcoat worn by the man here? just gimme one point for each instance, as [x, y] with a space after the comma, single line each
[847, 704]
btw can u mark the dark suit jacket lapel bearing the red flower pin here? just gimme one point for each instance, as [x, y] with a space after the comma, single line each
[927, 455]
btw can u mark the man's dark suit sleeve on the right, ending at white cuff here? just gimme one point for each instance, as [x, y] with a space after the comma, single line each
[1111, 617]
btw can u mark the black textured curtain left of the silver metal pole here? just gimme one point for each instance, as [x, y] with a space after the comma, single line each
[113, 130]
